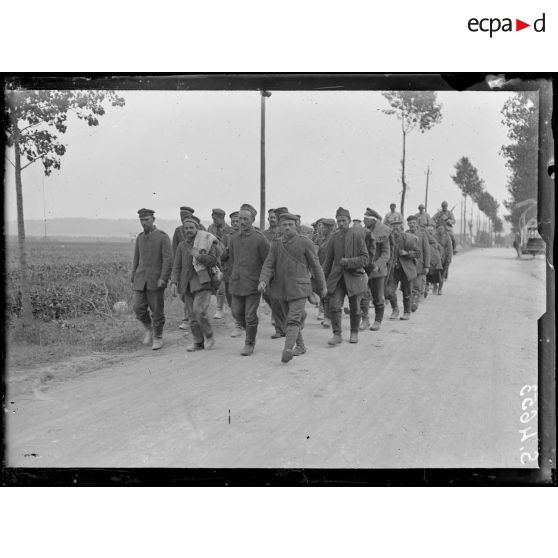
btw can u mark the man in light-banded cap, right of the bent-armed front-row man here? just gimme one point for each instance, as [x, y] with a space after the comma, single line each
[379, 252]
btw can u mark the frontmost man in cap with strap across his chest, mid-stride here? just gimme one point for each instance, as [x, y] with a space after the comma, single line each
[287, 270]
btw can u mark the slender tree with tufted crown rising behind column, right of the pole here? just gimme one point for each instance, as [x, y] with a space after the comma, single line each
[415, 109]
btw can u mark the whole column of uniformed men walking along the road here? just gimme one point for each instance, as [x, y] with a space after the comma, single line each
[363, 260]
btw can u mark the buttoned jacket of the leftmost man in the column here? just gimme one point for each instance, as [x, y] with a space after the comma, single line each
[152, 260]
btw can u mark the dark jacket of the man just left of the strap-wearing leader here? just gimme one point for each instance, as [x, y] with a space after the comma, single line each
[247, 253]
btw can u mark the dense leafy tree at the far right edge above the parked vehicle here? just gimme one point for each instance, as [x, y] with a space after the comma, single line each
[521, 118]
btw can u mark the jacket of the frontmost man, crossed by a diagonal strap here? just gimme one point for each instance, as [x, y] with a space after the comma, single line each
[288, 266]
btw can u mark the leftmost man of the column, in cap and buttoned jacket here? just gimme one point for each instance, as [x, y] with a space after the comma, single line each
[151, 270]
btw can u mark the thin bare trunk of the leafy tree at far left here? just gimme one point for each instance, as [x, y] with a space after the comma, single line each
[27, 309]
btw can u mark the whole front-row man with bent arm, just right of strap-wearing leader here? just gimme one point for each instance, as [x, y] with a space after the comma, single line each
[346, 258]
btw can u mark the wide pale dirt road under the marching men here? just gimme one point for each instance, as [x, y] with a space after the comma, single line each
[441, 390]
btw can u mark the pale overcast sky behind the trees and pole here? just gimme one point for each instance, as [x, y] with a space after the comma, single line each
[165, 149]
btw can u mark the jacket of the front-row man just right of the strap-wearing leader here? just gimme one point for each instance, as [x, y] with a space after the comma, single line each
[351, 245]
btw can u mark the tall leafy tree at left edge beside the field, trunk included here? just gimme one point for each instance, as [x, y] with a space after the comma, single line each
[34, 120]
